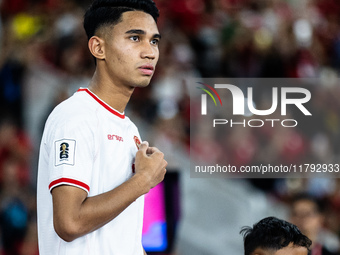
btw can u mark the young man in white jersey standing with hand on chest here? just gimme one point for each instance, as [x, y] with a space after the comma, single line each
[93, 170]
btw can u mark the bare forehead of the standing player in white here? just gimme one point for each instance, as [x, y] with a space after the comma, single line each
[136, 20]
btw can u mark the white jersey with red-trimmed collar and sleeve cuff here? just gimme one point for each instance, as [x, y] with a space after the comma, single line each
[89, 145]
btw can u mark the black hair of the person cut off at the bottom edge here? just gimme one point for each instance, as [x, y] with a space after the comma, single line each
[273, 233]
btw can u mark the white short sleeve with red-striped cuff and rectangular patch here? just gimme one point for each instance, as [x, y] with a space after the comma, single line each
[71, 154]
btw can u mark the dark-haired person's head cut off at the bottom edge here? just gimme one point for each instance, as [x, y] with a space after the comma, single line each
[273, 236]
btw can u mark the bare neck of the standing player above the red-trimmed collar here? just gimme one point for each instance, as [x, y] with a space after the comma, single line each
[115, 96]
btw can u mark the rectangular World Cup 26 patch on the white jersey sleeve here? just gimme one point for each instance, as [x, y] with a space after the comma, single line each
[64, 152]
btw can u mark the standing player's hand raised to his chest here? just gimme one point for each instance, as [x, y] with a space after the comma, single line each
[150, 164]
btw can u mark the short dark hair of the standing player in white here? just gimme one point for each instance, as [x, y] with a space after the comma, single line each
[109, 12]
